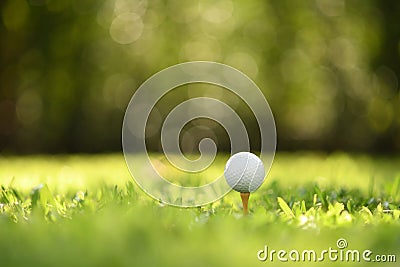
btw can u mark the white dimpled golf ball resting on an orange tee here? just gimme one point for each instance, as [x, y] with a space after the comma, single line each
[244, 172]
